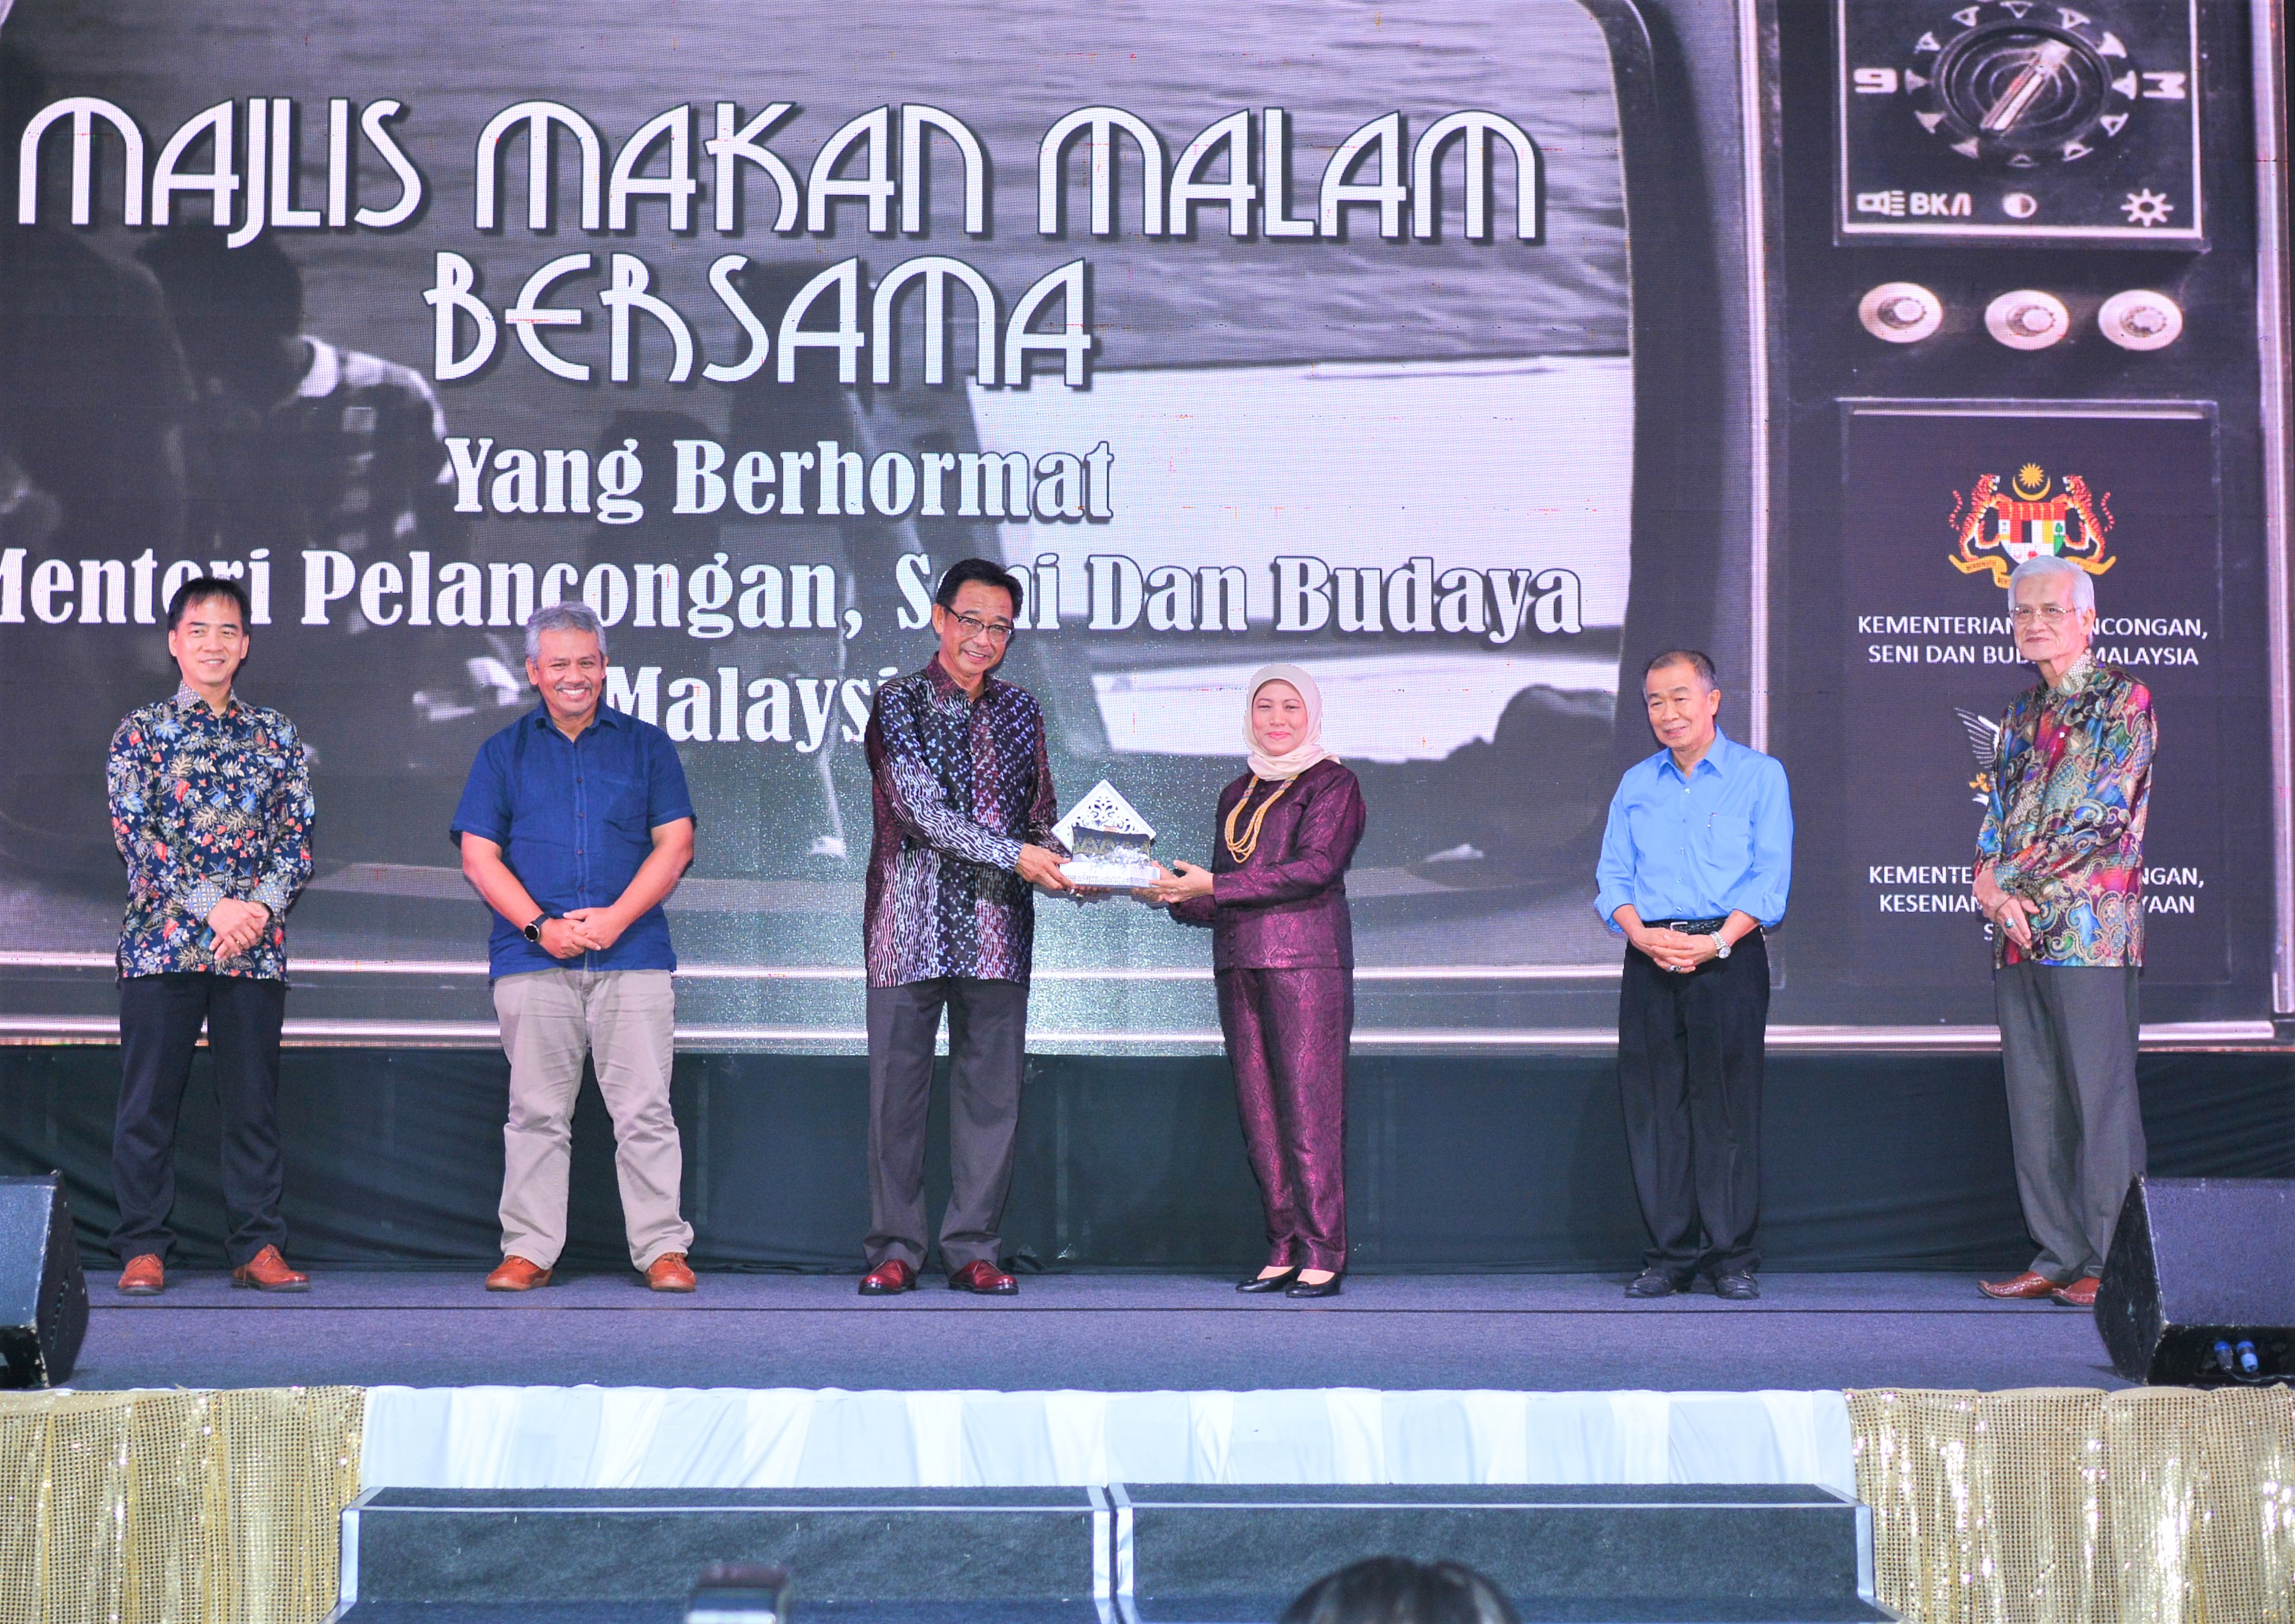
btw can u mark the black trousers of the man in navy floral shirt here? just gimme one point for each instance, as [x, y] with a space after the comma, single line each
[160, 1026]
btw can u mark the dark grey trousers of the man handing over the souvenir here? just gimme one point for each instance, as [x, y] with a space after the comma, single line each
[988, 1049]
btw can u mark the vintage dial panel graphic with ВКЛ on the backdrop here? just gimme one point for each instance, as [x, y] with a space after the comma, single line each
[2018, 120]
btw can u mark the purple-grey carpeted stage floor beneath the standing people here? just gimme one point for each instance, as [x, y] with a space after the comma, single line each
[1546, 1334]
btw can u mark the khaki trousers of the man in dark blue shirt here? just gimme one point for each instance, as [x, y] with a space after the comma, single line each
[550, 1022]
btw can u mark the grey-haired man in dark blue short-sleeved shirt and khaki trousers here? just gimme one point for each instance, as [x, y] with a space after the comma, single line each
[575, 827]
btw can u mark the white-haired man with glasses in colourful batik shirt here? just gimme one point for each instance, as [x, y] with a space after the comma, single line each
[2060, 873]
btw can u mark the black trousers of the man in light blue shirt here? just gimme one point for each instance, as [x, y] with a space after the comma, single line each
[1690, 1052]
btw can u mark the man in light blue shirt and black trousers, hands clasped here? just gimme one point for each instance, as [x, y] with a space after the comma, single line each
[1697, 861]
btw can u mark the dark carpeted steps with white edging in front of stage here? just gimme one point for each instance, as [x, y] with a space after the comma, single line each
[1160, 1554]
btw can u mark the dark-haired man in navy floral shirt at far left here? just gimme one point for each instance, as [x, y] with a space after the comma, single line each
[212, 813]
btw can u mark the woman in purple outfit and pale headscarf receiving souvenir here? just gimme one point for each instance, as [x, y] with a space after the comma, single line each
[1284, 960]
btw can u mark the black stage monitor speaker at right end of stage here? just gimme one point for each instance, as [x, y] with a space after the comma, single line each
[2200, 1288]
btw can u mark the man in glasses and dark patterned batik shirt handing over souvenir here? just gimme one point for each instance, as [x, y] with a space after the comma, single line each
[963, 790]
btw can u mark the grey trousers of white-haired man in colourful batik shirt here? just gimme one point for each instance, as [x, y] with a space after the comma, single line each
[2069, 1045]
